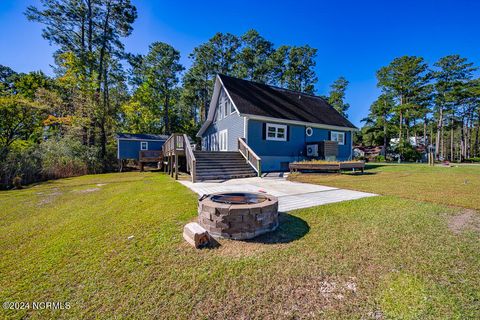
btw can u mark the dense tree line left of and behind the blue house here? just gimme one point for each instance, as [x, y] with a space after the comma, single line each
[65, 124]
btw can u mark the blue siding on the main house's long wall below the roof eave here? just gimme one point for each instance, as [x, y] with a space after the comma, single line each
[273, 153]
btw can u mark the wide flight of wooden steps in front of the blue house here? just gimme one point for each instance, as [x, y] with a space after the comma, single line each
[219, 165]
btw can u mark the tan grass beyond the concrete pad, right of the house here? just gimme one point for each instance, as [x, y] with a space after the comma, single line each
[458, 185]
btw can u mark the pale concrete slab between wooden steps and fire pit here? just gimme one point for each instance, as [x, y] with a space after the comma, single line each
[291, 195]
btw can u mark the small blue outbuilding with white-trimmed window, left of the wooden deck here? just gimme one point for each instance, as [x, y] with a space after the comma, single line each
[129, 145]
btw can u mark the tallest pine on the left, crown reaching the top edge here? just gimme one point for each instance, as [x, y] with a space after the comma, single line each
[91, 30]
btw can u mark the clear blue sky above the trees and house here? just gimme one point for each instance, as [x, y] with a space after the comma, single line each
[353, 38]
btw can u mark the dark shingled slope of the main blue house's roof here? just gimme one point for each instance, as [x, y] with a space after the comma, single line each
[268, 101]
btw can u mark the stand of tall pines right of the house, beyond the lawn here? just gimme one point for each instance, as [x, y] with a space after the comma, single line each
[436, 106]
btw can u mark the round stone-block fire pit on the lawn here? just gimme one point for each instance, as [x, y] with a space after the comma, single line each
[238, 215]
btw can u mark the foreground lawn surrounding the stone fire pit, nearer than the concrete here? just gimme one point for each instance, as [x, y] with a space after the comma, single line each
[380, 257]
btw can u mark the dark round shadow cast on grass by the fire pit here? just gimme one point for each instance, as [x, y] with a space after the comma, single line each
[290, 228]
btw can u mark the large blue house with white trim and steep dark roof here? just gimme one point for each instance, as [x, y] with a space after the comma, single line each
[279, 125]
